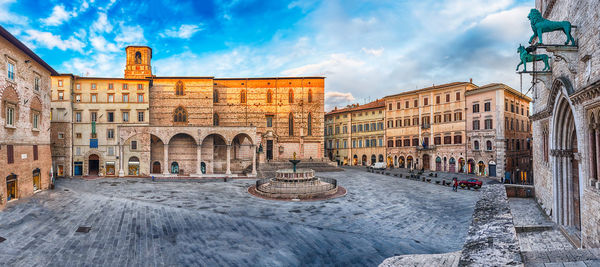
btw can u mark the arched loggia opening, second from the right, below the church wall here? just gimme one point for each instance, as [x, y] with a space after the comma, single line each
[214, 153]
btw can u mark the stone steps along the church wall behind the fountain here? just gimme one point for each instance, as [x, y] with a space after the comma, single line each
[266, 170]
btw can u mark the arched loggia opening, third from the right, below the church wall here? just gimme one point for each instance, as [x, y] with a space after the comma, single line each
[183, 150]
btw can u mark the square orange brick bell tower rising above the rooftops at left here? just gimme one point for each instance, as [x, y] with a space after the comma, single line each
[138, 62]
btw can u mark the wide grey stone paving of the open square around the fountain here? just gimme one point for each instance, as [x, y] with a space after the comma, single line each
[143, 223]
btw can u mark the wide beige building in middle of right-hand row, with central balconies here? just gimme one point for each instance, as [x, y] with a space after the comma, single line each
[426, 128]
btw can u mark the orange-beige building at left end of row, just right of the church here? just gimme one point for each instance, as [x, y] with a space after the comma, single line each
[355, 135]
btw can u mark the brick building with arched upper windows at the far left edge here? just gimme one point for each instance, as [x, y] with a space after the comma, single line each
[25, 159]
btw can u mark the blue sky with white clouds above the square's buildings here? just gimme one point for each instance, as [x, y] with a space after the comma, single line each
[366, 49]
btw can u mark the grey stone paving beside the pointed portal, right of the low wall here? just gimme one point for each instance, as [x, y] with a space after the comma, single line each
[542, 243]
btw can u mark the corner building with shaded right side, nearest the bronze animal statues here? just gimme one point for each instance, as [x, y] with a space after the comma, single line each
[498, 132]
